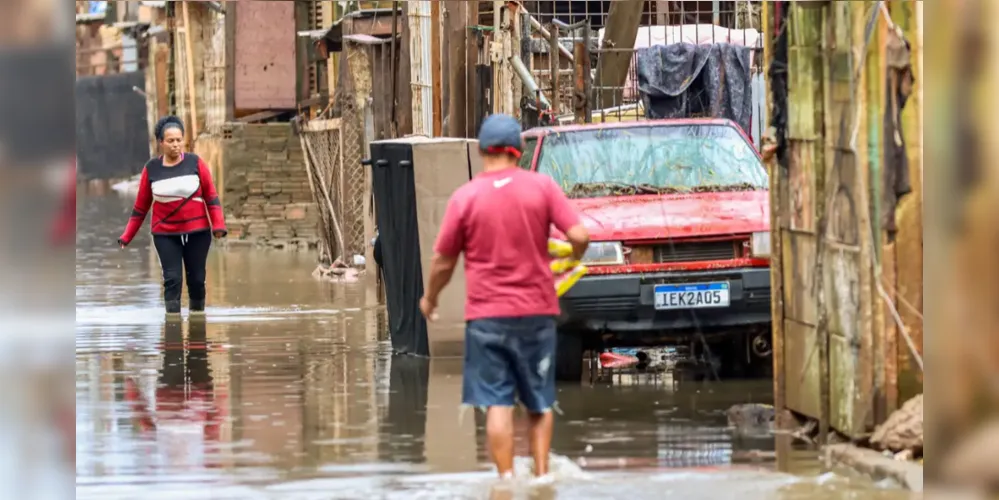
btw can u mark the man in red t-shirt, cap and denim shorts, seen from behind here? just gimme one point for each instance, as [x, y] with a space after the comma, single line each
[501, 221]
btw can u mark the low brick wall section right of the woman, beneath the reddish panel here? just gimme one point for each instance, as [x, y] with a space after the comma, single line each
[266, 193]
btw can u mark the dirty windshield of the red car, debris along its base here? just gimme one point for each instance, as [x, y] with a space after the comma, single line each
[651, 160]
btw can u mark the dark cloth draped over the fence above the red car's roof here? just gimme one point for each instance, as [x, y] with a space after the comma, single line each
[684, 80]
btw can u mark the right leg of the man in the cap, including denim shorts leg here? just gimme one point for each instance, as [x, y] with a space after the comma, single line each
[535, 373]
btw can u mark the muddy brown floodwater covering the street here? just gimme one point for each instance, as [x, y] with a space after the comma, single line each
[288, 389]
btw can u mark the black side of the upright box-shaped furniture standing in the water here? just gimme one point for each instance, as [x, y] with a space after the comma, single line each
[394, 190]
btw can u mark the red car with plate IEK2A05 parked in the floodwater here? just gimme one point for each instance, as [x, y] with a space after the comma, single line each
[679, 217]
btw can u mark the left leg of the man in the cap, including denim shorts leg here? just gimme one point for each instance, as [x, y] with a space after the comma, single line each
[489, 384]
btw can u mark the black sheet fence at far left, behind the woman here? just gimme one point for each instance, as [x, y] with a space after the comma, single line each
[112, 130]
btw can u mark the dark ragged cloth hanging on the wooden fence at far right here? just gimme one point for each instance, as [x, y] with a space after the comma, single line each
[895, 174]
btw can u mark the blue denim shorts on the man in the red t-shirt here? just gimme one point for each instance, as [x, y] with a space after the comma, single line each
[507, 359]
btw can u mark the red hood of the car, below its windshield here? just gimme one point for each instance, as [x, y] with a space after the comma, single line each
[674, 216]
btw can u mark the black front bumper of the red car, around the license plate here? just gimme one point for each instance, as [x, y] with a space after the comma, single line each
[624, 303]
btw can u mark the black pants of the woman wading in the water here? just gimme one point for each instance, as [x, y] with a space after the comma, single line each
[180, 255]
